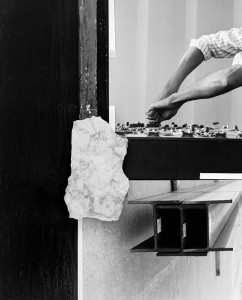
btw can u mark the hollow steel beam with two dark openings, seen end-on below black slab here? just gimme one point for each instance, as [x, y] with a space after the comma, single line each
[198, 223]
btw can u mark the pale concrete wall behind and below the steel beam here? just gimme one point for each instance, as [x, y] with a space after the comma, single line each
[111, 272]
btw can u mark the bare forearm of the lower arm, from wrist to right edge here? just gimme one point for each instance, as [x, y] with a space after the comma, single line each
[212, 85]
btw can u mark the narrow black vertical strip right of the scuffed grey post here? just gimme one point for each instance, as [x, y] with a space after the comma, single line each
[102, 60]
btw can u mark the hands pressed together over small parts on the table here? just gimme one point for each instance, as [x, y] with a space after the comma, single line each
[163, 110]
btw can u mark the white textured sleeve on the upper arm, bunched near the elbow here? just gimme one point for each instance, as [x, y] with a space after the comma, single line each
[221, 44]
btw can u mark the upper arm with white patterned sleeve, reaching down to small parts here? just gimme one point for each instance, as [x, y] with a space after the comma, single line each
[220, 45]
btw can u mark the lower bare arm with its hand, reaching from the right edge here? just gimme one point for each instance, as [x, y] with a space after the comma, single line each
[212, 85]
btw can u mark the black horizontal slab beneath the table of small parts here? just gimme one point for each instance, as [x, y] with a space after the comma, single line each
[177, 158]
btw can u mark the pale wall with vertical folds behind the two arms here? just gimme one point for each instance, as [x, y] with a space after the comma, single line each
[151, 37]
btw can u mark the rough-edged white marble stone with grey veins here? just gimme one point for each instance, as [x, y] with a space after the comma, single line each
[97, 186]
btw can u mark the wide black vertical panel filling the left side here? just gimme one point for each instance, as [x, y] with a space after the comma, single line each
[38, 103]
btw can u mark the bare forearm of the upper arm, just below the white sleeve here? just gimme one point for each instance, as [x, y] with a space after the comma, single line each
[190, 60]
